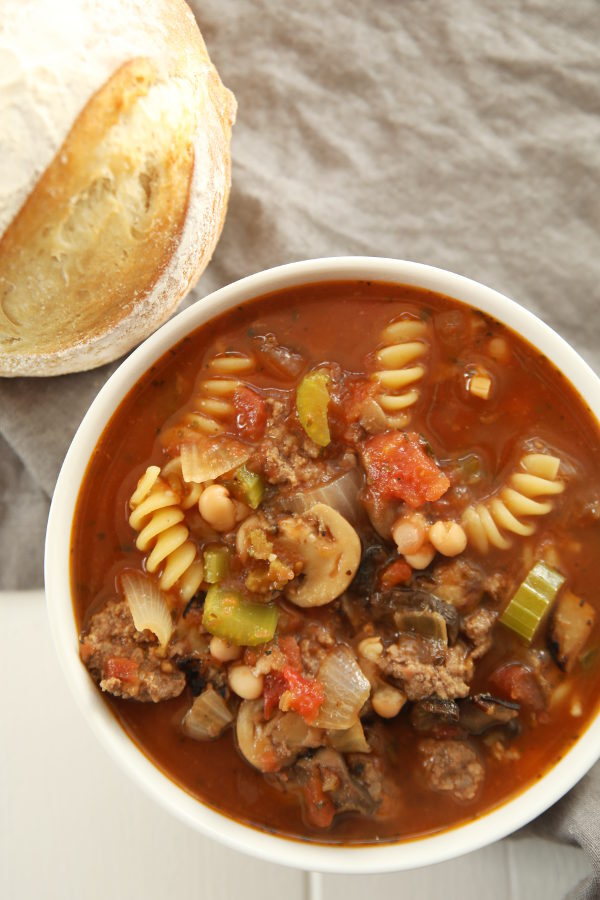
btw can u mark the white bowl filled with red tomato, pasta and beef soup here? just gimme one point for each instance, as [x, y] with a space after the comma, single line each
[322, 565]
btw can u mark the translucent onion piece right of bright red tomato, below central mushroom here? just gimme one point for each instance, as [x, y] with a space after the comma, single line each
[346, 690]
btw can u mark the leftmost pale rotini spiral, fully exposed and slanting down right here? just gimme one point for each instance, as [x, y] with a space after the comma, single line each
[157, 516]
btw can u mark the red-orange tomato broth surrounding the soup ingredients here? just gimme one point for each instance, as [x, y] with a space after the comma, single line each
[530, 399]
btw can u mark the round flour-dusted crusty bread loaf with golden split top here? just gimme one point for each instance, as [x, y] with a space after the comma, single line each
[114, 175]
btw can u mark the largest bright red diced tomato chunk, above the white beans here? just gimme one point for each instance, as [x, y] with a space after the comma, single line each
[399, 468]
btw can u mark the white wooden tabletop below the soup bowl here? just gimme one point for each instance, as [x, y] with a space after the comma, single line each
[73, 826]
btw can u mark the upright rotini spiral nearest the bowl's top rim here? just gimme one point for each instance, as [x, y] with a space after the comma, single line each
[398, 370]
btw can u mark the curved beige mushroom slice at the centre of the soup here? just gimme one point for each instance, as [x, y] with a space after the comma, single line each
[330, 550]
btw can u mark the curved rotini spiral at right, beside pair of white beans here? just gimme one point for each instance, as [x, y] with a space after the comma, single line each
[486, 523]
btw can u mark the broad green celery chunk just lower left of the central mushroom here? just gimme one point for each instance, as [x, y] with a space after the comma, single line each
[229, 616]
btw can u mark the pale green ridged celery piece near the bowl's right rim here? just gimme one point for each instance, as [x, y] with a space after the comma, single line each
[532, 600]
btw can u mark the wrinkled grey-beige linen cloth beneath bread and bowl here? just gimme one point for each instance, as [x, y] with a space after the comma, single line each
[464, 135]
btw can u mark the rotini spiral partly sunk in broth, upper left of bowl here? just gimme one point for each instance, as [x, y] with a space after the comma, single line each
[212, 405]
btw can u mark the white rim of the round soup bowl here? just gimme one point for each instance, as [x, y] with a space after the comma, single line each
[351, 859]
